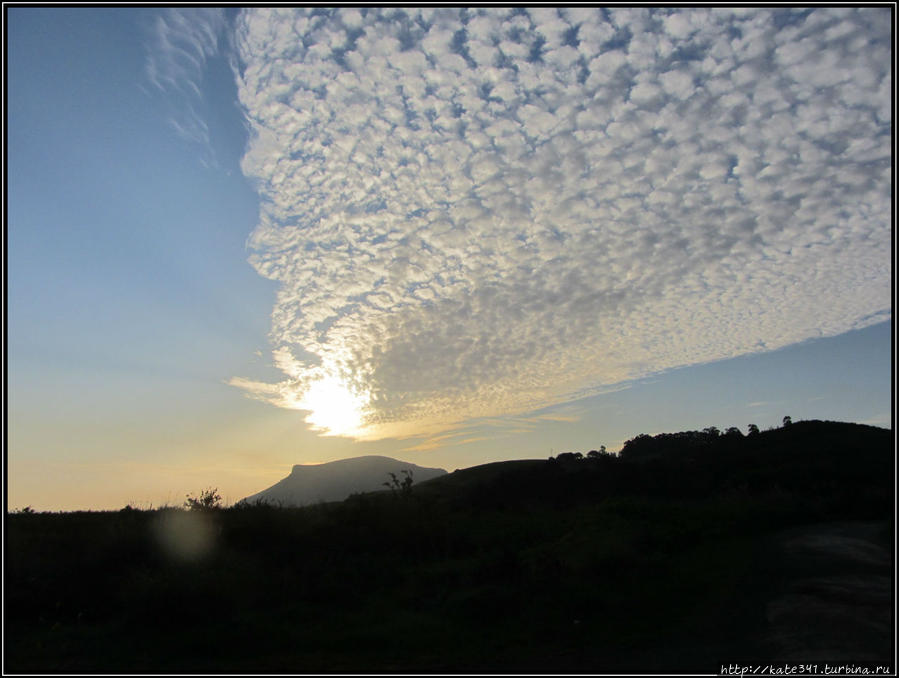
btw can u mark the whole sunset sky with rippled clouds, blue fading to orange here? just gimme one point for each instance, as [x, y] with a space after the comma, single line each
[239, 239]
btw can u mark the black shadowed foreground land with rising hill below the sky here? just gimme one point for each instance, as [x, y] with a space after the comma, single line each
[687, 552]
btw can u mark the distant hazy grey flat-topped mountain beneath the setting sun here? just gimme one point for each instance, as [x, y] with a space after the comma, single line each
[337, 480]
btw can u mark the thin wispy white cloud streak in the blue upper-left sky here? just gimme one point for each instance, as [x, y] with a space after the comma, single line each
[179, 43]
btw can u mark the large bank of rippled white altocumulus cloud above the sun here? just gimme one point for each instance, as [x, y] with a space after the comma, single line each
[482, 212]
